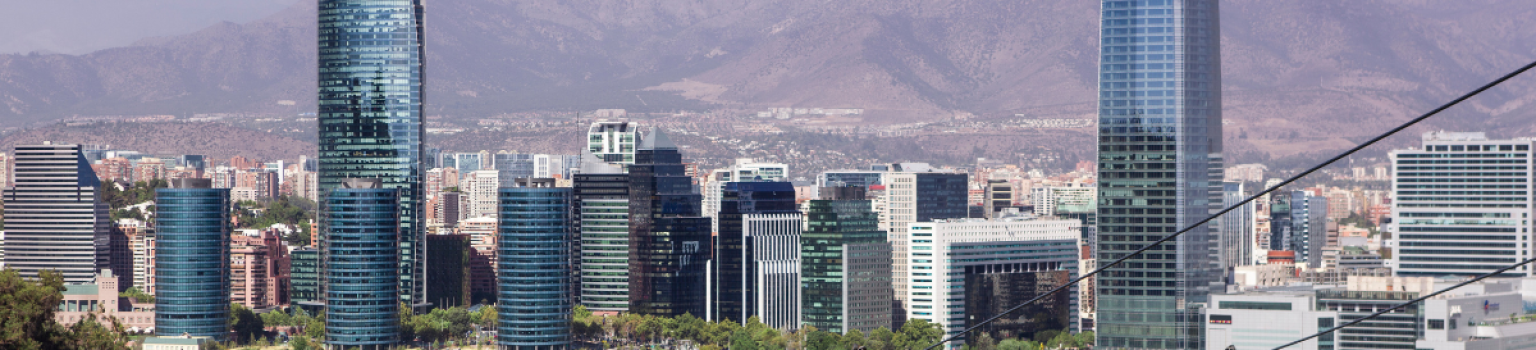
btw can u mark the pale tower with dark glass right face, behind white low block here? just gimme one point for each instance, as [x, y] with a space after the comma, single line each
[918, 194]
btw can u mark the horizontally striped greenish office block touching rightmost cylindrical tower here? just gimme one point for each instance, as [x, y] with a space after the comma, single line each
[603, 226]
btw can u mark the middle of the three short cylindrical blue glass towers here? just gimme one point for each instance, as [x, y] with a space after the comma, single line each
[360, 265]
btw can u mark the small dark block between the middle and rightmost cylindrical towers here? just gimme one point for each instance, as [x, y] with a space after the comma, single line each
[449, 271]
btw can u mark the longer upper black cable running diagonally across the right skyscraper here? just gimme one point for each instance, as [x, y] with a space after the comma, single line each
[1253, 199]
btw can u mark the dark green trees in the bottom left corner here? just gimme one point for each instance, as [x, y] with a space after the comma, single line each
[28, 323]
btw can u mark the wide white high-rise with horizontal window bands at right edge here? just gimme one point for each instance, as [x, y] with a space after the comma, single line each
[1463, 206]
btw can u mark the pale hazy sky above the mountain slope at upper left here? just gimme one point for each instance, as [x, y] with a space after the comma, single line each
[81, 27]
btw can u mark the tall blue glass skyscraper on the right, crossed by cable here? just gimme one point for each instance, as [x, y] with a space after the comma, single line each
[1159, 168]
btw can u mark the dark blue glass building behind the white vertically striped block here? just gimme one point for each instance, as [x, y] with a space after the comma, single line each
[735, 276]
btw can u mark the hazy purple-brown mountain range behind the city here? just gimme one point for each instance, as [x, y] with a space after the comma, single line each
[1299, 74]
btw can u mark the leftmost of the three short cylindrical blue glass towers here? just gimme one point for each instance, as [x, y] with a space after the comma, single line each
[193, 260]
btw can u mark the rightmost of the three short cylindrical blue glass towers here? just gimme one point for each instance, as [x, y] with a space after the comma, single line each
[534, 266]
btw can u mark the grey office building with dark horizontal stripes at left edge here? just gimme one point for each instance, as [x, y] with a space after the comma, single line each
[55, 217]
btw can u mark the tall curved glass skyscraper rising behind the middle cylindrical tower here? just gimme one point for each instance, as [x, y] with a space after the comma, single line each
[371, 67]
